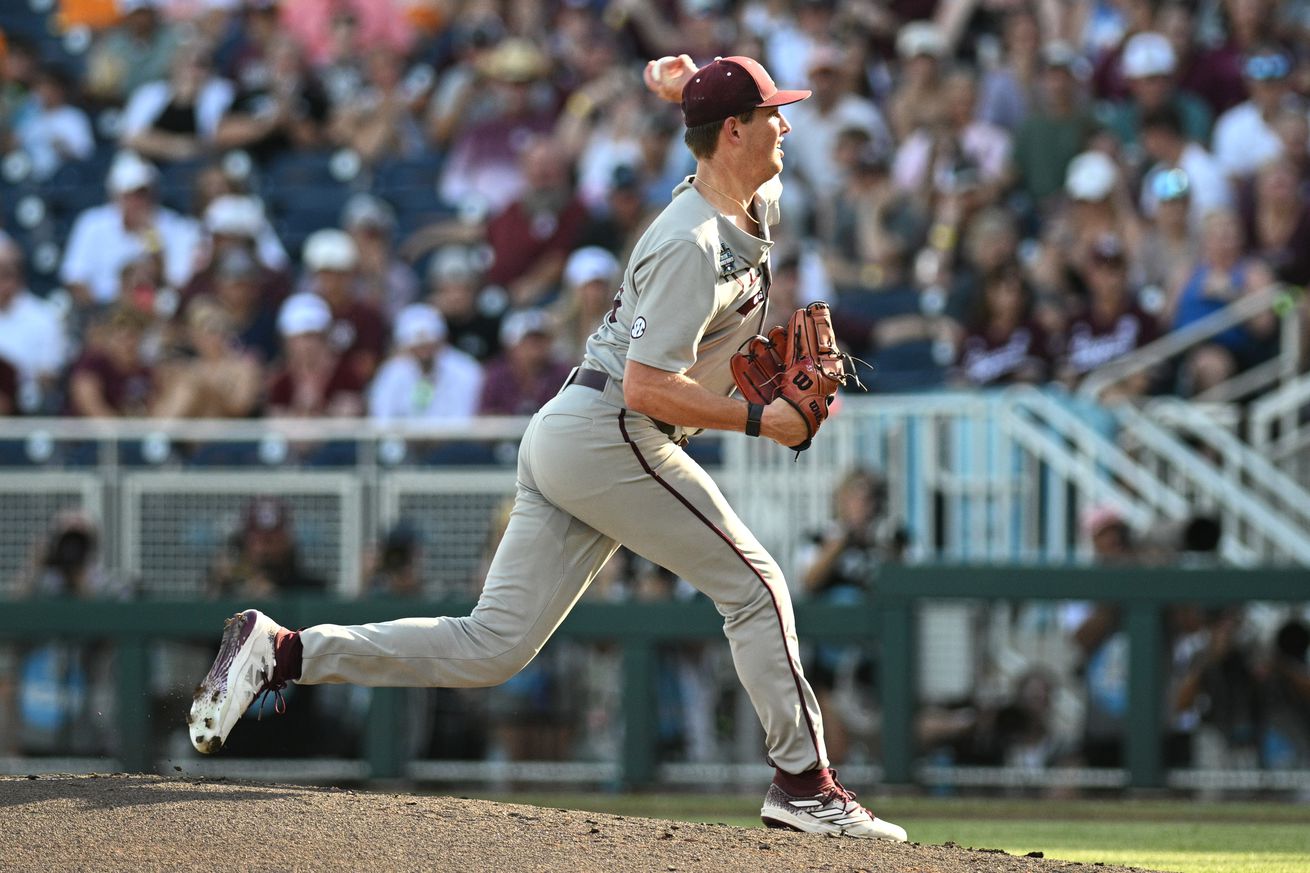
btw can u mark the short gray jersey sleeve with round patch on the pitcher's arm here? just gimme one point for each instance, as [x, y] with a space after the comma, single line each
[675, 302]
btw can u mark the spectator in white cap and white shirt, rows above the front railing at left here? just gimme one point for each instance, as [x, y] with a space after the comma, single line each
[133, 223]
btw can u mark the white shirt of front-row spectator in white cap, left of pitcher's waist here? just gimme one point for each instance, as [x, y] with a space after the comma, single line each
[402, 391]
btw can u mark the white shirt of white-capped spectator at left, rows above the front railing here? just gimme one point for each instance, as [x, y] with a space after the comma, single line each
[99, 248]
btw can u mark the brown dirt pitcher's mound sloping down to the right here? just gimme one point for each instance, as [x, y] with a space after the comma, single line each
[151, 824]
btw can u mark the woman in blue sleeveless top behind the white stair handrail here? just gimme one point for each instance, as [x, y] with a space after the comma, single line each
[1222, 276]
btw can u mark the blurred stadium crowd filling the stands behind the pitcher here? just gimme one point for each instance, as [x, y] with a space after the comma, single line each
[419, 209]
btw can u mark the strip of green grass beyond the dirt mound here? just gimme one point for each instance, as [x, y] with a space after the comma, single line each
[1161, 836]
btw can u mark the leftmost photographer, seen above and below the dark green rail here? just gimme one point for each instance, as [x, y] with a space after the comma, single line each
[62, 697]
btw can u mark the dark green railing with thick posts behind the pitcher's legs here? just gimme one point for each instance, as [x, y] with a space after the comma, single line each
[640, 630]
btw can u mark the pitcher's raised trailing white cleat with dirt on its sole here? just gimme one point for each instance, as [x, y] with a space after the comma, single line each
[242, 672]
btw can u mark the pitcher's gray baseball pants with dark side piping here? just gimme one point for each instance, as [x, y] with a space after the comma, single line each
[593, 476]
